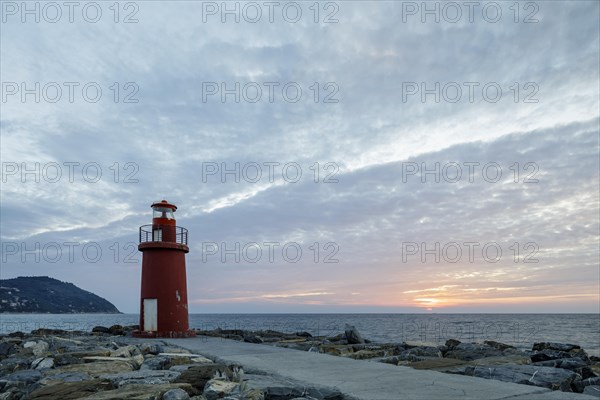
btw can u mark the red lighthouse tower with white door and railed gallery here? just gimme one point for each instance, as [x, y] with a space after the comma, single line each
[163, 308]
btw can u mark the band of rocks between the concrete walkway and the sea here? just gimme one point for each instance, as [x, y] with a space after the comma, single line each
[556, 366]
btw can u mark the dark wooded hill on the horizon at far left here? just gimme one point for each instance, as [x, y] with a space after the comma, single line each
[41, 294]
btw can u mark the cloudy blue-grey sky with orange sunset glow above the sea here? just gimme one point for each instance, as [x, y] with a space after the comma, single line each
[389, 158]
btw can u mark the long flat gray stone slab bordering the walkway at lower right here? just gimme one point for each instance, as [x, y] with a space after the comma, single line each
[551, 378]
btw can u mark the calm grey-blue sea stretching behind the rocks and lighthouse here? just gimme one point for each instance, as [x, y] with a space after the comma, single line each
[519, 330]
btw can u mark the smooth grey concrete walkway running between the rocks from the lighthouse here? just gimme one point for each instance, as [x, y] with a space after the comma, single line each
[364, 380]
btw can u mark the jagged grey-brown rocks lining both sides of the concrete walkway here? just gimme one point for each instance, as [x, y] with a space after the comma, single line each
[108, 363]
